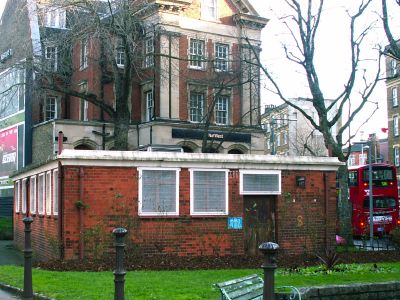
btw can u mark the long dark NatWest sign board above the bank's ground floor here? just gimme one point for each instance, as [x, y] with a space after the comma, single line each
[198, 134]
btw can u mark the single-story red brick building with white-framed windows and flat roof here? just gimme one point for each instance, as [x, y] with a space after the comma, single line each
[176, 203]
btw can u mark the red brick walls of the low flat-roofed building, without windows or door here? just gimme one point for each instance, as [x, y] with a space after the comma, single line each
[111, 197]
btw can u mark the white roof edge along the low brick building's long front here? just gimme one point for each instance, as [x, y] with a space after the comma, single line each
[140, 158]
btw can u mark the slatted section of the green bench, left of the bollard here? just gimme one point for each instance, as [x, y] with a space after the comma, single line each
[244, 288]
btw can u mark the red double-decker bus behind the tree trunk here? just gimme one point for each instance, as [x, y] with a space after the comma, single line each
[385, 198]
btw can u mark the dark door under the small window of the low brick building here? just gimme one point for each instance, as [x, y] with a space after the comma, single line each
[259, 222]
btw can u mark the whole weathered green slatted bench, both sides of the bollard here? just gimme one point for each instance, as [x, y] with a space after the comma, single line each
[251, 288]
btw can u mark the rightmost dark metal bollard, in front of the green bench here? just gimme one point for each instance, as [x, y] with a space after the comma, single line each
[269, 251]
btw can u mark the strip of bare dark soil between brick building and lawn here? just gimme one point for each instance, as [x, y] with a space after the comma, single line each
[168, 262]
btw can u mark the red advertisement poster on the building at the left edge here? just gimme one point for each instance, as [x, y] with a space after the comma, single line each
[8, 151]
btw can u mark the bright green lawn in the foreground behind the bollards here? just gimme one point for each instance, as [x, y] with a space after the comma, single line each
[179, 285]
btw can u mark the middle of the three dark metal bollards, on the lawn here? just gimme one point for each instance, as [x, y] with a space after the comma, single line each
[119, 273]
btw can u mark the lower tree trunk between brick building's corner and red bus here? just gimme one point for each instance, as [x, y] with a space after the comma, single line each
[345, 207]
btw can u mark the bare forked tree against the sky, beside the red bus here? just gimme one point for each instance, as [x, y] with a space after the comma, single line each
[303, 23]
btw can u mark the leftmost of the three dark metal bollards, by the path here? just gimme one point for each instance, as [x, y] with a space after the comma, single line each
[28, 291]
